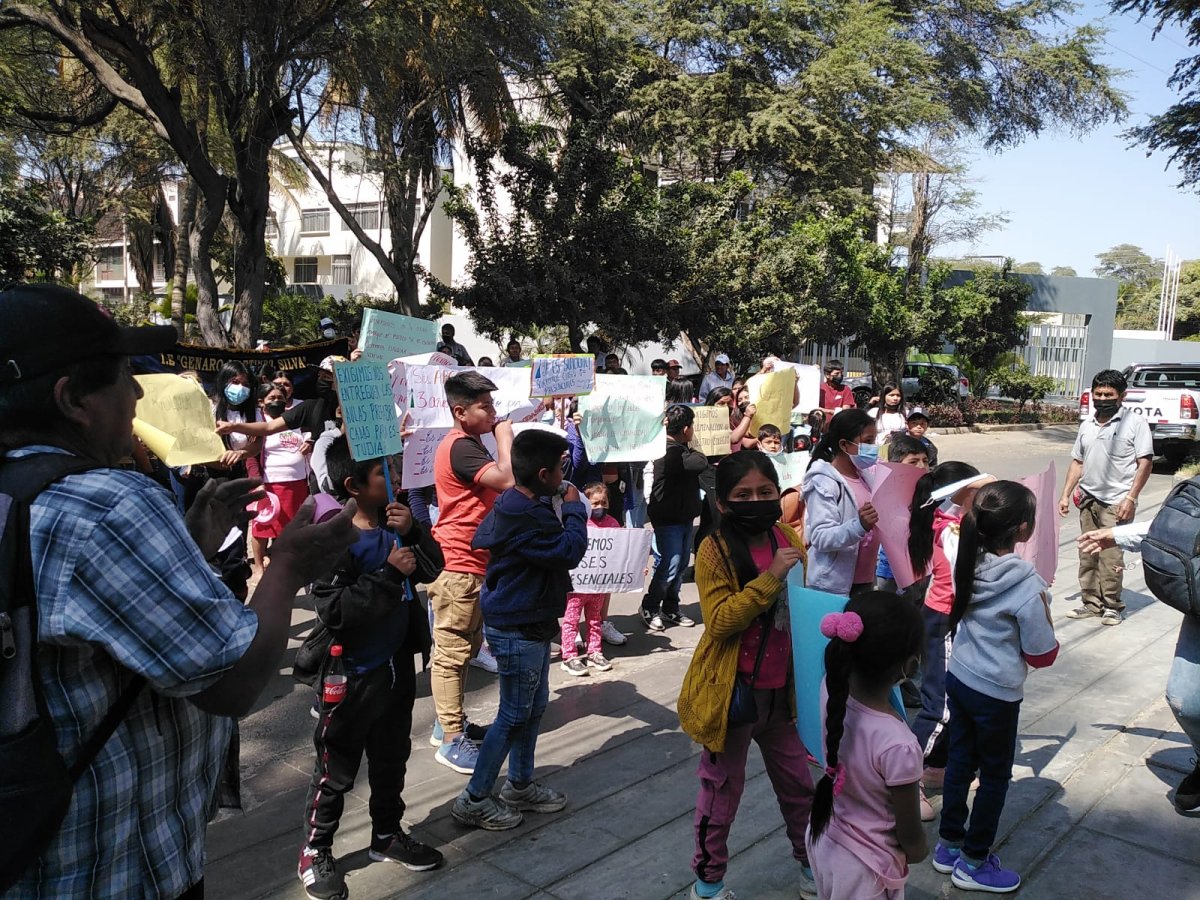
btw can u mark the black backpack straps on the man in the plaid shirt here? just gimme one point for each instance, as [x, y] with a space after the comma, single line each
[23, 479]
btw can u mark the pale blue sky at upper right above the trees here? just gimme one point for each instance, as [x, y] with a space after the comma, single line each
[1069, 200]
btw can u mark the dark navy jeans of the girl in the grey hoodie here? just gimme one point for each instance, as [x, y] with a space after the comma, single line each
[983, 739]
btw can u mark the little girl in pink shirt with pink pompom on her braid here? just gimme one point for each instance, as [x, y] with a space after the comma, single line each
[866, 827]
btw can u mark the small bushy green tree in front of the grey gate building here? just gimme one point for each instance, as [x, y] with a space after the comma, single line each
[991, 319]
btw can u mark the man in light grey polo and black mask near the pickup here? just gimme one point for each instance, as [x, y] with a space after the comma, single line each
[1111, 465]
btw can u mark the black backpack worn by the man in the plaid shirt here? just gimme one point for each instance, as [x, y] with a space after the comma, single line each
[35, 782]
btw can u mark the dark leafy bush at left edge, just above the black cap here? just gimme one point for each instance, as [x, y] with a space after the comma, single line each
[38, 243]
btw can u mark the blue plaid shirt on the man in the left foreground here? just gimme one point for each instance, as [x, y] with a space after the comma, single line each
[122, 587]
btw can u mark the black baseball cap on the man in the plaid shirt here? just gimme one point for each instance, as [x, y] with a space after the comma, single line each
[46, 327]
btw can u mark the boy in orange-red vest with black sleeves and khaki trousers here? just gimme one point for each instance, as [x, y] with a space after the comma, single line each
[469, 481]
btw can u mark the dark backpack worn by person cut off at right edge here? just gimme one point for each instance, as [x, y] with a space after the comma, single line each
[1171, 551]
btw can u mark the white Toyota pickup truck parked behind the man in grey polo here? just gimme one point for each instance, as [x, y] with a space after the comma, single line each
[1168, 395]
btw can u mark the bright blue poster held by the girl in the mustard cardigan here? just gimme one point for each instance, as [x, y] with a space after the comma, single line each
[807, 608]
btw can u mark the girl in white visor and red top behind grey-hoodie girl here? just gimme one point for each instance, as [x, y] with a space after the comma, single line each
[938, 506]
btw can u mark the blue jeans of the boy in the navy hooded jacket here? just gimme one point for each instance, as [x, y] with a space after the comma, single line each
[524, 669]
